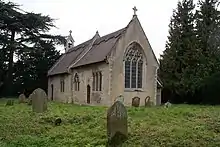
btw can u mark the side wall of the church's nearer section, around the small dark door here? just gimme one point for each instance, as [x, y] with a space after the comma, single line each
[86, 78]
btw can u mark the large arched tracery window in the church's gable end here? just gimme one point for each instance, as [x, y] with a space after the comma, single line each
[133, 62]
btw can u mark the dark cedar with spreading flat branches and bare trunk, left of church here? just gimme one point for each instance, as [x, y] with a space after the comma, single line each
[20, 31]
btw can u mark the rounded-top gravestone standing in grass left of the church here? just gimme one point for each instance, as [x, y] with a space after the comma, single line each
[39, 100]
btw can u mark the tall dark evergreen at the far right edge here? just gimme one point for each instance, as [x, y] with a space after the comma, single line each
[208, 43]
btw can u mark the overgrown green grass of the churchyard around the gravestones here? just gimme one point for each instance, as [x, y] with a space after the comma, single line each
[84, 126]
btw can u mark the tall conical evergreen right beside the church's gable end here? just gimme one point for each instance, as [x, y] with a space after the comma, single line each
[174, 63]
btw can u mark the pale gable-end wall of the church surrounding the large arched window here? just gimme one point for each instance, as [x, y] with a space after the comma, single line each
[136, 34]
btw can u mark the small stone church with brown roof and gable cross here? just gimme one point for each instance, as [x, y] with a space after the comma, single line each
[99, 70]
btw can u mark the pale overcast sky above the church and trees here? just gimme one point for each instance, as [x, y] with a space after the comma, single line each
[85, 17]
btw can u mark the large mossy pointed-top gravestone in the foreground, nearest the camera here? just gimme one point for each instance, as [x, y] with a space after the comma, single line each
[117, 125]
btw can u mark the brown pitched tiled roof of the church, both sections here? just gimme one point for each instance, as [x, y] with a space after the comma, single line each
[86, 53]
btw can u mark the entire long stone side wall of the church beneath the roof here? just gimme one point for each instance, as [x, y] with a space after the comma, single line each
[86, 78]
